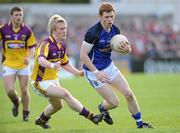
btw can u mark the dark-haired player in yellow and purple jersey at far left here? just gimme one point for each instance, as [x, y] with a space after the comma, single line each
[18, 46]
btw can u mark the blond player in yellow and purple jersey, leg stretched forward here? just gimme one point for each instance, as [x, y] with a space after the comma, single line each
[50, 56]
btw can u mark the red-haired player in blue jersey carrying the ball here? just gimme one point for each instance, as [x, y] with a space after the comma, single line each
[100, 70]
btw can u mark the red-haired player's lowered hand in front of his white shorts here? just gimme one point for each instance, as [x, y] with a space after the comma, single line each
[102, 77]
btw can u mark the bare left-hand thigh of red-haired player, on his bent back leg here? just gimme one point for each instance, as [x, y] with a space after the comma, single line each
[108, 94]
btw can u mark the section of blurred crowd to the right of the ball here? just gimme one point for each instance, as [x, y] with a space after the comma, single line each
[153, 37]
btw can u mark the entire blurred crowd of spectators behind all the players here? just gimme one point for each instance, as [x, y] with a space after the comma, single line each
[151, 36]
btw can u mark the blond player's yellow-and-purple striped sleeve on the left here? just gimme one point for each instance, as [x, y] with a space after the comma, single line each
[43, 50]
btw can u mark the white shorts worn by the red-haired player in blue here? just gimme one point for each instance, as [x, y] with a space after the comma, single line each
[112, 71]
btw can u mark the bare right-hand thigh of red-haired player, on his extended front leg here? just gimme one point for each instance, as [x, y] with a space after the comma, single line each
[120, 83]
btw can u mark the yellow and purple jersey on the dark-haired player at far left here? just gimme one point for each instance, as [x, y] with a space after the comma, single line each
[15, 45]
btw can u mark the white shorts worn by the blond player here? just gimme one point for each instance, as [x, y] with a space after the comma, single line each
[40, 88]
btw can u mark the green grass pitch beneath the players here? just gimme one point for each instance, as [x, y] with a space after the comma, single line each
[158, 96]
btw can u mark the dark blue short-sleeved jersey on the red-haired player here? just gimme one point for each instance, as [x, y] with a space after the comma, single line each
[101, 51]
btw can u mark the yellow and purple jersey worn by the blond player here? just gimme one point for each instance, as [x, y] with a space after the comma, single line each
[53, 52]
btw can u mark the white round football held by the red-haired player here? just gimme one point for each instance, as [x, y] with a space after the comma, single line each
[120, 44]
